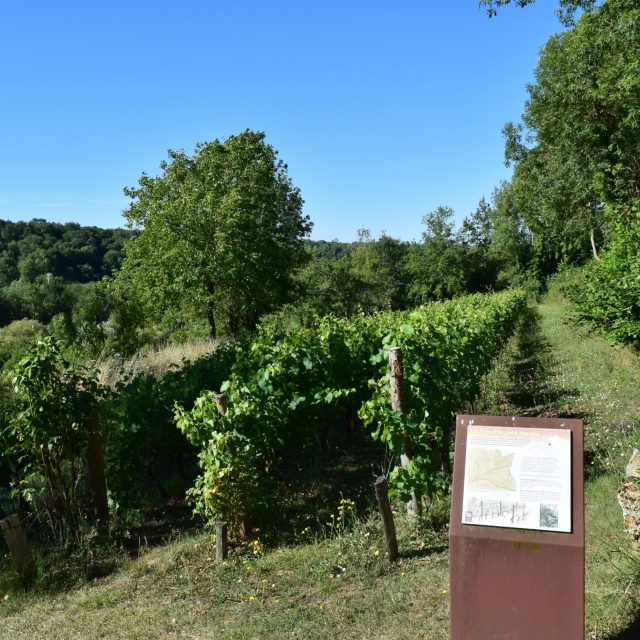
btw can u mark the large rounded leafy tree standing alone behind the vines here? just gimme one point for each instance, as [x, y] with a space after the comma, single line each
[222, 231]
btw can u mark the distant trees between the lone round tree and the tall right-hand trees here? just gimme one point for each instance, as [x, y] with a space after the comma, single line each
[490, 251]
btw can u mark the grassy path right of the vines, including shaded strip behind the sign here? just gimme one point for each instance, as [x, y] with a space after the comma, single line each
[557, 369]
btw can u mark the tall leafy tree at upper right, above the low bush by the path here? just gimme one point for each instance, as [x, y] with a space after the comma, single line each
[578, 146]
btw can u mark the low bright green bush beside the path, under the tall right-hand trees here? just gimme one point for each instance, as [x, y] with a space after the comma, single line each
[608, 294]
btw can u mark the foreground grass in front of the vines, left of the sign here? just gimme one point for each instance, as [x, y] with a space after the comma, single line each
[337, 586]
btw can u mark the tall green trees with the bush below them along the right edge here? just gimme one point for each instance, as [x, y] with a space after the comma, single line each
[576, 180]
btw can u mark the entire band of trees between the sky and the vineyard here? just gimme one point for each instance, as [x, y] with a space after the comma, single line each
[205, 259]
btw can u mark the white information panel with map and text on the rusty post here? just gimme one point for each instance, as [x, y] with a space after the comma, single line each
[518, 477]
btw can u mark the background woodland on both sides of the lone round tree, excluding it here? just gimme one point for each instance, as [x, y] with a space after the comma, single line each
[52, 278]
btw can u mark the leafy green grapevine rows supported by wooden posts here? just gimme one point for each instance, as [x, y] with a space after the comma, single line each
[284, 395]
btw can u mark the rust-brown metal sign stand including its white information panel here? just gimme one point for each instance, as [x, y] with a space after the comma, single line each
[516, 534]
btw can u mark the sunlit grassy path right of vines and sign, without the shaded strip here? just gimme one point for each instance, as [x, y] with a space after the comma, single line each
[601, 383]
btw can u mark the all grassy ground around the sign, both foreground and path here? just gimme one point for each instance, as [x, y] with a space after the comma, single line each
[340, 585]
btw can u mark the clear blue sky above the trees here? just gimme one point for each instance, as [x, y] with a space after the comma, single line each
[383, 111]
